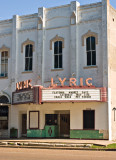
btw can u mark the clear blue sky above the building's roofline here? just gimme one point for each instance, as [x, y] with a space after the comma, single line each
[8, 8]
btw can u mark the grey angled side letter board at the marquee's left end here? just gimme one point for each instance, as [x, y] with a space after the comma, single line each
[25, 96]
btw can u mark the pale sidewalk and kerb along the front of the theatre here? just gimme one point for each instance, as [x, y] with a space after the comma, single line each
[70, 144]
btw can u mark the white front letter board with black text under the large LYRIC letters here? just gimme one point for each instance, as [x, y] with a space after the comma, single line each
[71, 95]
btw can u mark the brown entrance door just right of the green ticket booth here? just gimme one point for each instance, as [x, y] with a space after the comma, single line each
[64, 125]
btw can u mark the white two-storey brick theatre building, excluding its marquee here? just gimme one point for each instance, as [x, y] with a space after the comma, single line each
[64, 41]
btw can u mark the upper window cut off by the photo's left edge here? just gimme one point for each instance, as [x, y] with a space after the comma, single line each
[4, 64]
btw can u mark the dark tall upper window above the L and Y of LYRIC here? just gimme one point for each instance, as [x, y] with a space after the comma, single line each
[58, 54]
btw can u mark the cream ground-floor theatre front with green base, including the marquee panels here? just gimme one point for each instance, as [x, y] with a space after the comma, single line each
[61, 112]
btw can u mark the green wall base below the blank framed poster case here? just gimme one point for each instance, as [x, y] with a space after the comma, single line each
[35, 133]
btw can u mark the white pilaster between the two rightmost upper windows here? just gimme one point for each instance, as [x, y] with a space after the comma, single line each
[74, 38]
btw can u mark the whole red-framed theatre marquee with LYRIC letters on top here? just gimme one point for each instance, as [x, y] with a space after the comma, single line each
[26, 93]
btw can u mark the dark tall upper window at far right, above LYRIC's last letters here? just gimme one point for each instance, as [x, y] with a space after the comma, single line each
[91, 51]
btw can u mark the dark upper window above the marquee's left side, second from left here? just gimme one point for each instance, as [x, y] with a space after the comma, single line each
[28, 57]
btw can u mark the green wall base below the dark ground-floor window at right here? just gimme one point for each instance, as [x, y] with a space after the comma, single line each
[86, 134]
